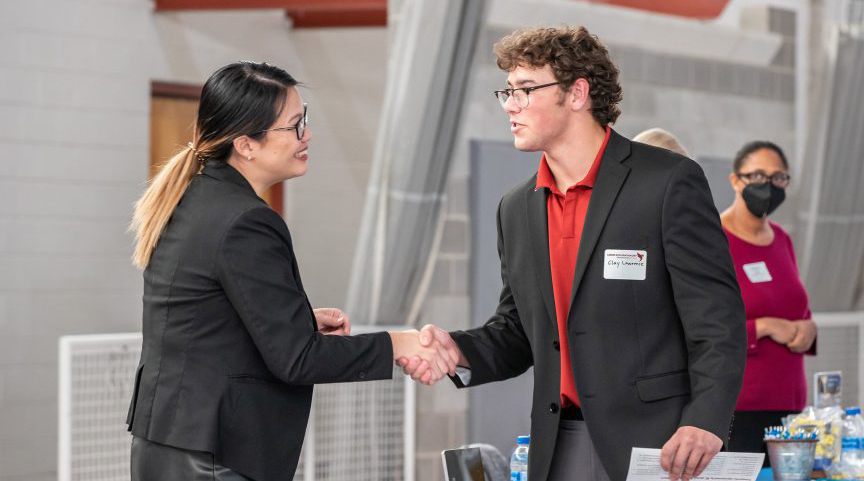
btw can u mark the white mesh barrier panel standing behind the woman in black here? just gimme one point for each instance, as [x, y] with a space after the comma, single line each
[360, 431]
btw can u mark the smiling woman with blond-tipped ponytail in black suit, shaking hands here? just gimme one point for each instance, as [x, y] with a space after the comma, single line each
[232, 346]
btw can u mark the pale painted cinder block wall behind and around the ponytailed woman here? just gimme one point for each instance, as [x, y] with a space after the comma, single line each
[74, 127]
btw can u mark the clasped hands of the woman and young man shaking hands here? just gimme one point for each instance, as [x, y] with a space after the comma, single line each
[427, 355]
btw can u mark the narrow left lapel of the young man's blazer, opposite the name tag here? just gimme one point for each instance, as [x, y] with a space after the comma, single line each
[539, 229]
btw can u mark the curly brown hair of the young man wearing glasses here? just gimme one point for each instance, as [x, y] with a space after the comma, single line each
[573, 54]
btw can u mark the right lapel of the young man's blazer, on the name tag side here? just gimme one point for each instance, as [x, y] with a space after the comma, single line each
[610, 178]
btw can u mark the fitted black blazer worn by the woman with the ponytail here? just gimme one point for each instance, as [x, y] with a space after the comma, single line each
[230, 349]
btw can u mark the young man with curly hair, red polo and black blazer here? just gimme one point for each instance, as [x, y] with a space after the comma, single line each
[618, 285]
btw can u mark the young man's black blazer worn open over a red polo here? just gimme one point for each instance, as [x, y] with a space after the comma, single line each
[648, 356]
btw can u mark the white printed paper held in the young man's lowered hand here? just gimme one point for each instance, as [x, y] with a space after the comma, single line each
[645, 466]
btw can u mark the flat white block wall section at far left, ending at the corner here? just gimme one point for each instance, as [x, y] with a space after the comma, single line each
[74, 123]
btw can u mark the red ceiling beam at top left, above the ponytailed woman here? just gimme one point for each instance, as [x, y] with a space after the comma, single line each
[304, 13]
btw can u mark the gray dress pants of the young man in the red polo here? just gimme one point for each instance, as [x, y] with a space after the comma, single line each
[575, 458]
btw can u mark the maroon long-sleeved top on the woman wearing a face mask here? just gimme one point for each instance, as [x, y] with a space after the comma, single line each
[771, 287]
